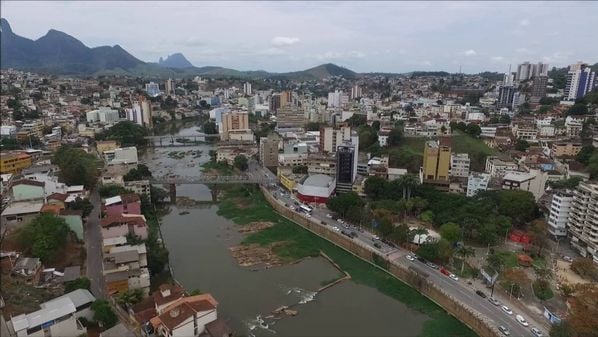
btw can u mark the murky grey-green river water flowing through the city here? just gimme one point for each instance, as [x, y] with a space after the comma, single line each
[198, 243]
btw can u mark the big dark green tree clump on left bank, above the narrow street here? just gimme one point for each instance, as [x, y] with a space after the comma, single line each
[76, 166]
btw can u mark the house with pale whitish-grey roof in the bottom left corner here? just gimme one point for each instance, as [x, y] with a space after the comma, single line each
[56, 318]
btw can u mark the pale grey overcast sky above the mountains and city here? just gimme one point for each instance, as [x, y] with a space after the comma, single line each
[365, 37]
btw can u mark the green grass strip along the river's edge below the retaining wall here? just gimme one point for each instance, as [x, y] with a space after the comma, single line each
[300, 243]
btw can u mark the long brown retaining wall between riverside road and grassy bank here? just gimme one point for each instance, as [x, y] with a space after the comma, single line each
[478, 323]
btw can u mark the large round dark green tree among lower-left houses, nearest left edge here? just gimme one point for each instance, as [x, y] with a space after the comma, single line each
[44, 237]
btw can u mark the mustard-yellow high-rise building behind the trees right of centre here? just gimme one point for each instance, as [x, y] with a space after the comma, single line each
[437, 158]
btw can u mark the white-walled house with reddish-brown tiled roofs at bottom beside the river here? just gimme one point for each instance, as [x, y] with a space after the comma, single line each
[187, 316]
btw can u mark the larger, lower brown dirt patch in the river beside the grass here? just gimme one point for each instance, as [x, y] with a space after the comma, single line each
[259, 257]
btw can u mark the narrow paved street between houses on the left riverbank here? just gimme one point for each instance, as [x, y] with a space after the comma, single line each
[93, 243]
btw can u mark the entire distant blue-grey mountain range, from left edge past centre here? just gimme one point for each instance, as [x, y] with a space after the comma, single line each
[59, 53]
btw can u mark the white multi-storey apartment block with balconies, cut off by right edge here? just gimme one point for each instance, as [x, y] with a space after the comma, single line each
[583, 220]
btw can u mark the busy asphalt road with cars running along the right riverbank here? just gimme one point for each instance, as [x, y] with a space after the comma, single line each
[458, 289]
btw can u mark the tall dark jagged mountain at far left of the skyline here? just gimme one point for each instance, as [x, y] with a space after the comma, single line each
[58, 52]
